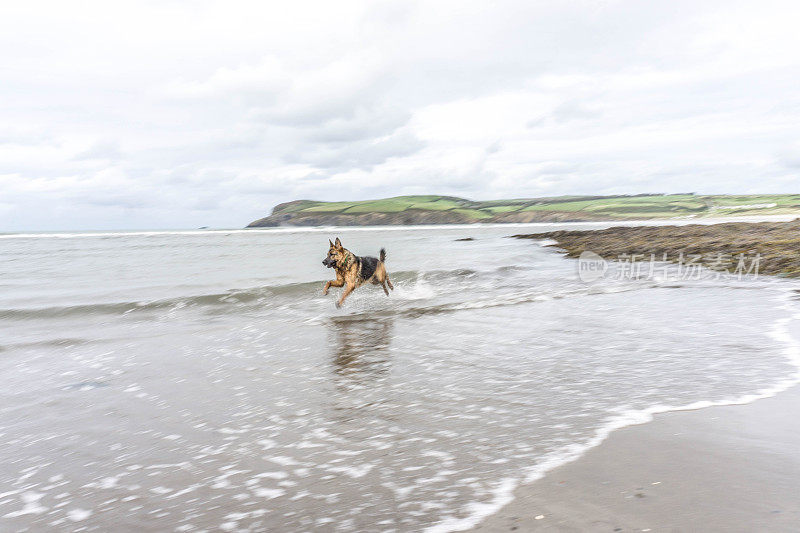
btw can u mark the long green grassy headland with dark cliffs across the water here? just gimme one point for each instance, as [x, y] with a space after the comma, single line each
[433, 209]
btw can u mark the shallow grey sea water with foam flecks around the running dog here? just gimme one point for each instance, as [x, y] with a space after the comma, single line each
[199, 380]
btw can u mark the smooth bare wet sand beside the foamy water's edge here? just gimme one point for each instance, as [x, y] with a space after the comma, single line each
[727, 468]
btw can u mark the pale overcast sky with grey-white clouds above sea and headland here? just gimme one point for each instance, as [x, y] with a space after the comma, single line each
[172, 114]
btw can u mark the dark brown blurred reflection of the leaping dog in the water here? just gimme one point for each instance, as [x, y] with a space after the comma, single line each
[360, 349]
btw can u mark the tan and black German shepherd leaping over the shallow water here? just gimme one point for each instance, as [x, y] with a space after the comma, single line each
[354, 270]
